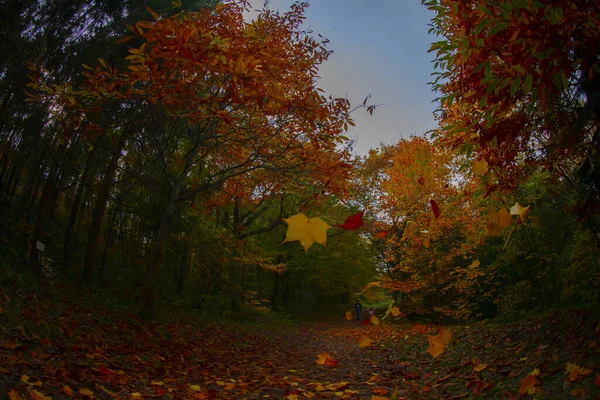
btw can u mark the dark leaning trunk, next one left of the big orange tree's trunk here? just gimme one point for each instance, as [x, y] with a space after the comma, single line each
[100, 208]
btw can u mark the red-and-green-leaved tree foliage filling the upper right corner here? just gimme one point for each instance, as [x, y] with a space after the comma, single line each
[519, 89]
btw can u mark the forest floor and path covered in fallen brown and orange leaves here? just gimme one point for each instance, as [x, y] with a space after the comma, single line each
[55, 347]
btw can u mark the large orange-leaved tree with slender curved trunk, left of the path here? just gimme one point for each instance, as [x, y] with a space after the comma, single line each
[227, 97]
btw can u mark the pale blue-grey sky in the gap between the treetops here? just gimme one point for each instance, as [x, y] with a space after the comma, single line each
[380, 48]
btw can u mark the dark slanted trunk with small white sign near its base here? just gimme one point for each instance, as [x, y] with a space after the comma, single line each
[45, 205]
